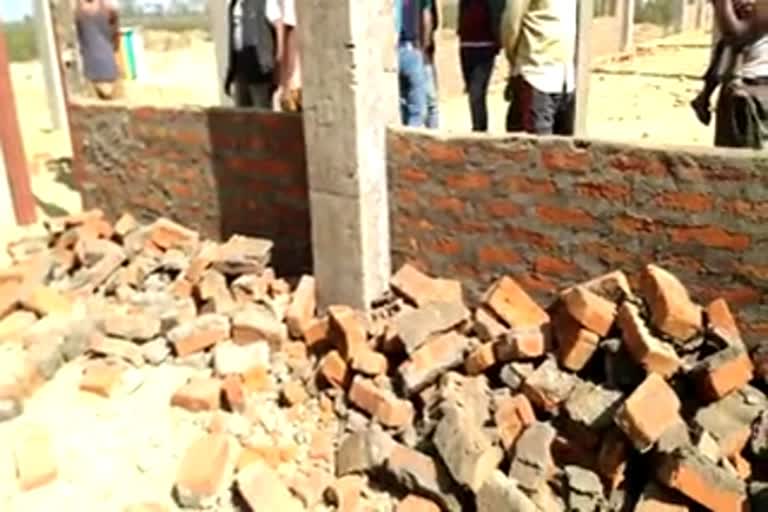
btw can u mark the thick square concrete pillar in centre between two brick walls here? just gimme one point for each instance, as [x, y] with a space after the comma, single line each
[350, 96]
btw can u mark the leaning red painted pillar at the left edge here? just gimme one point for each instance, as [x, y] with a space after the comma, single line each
[11, 143]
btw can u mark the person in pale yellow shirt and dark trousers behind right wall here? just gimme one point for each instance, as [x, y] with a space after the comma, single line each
[539, 39]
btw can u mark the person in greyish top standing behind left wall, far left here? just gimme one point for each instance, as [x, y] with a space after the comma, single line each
[98, 35]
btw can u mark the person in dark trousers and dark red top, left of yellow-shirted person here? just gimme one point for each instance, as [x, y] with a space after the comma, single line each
[479, 43]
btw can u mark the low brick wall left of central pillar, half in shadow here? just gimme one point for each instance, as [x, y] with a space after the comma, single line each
[220, 171]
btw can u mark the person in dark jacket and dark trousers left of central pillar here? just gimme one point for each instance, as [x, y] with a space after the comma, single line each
[253, 55]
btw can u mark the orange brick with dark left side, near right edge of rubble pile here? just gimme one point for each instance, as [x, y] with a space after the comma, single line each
[723, 372]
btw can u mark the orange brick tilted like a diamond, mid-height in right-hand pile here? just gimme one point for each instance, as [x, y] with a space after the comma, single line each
[649, 411]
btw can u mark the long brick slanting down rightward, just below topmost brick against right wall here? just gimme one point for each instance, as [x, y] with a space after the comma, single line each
[652, 353]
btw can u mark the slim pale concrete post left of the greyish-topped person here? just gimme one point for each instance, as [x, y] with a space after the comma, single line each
[49, 58]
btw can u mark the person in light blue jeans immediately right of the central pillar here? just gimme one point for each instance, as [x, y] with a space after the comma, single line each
[413, 22]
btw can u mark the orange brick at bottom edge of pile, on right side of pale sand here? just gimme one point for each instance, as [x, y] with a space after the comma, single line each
[204, 470]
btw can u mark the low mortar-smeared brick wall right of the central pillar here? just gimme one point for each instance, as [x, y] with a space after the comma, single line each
[551, 214]
